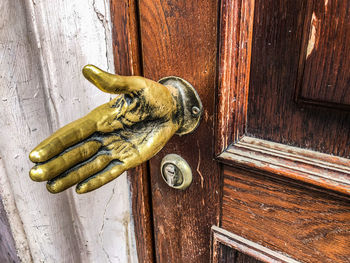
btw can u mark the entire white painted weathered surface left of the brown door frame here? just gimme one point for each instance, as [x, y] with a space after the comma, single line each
[43, 46]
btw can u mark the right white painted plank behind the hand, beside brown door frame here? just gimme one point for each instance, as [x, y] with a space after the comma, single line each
[81, 32]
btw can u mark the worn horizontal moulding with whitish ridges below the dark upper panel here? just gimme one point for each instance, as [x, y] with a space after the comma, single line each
[330, 172]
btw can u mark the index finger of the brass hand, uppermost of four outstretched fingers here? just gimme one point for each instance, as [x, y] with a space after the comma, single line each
[62, 139]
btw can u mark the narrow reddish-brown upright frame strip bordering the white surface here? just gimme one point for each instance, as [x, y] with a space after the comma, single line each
[127, 61]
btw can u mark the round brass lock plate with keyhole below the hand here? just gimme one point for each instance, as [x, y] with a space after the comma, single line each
[176, 172]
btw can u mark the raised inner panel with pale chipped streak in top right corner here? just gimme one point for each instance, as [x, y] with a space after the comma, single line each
[325, 50]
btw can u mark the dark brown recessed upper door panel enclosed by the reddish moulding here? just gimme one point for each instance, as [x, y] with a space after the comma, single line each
[276, 50]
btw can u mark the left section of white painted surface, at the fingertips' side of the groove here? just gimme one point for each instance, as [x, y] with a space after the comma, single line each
[24, 120]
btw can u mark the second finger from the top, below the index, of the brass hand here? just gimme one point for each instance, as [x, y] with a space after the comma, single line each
[58, 165]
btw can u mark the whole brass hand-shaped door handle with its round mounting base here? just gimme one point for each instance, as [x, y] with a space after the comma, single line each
[118, 135]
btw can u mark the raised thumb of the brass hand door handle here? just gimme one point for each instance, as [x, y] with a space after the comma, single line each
[111, 83]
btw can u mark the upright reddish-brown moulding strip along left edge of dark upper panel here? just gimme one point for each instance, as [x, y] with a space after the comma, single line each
[236, 30]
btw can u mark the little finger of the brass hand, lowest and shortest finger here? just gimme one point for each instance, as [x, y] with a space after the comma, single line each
[112, 171]
